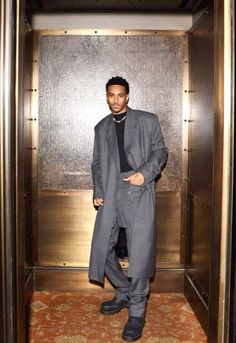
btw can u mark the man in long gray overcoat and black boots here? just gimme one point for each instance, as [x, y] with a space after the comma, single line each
[129, 153]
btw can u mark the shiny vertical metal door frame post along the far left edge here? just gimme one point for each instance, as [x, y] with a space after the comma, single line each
[7, 171]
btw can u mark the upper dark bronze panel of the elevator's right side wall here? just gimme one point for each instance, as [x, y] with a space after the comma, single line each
[202, 110]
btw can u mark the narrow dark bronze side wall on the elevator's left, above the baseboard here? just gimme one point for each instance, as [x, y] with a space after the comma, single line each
[25, 156]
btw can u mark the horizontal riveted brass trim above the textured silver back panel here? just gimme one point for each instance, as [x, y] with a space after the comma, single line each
[110, 32]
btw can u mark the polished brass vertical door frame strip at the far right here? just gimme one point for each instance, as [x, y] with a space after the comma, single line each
[227, 177]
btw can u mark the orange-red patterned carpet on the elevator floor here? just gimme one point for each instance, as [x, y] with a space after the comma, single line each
[74, 317]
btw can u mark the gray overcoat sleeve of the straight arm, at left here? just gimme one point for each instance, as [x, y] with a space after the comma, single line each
[96, 170]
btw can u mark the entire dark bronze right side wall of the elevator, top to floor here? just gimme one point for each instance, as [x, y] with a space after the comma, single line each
[201, 130]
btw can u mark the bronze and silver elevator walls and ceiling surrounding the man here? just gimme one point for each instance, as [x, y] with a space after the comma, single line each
[61, 63]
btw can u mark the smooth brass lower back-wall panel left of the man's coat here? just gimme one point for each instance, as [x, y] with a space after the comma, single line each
[65, 226]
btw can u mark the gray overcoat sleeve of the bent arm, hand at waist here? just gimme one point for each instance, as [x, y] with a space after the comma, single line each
[158, 156]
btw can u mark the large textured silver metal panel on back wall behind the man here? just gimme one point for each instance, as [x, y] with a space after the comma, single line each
[73, 71]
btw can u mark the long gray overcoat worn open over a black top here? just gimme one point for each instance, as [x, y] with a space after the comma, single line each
[146, 153]
